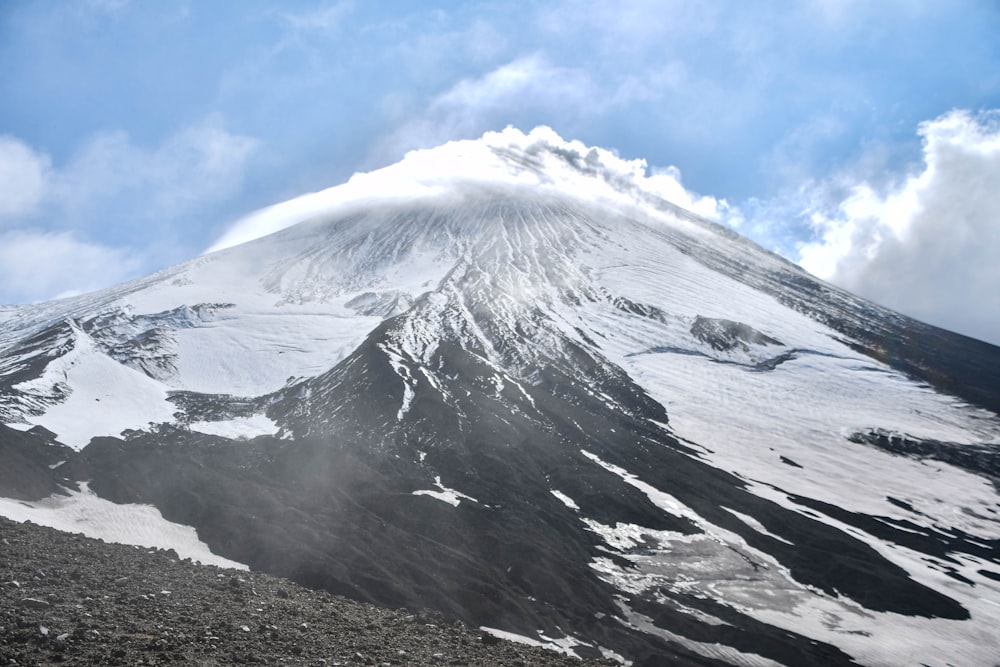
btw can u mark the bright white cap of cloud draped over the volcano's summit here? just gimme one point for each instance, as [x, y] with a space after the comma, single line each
[533, 163]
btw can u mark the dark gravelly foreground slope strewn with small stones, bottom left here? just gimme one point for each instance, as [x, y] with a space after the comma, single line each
[172, 612]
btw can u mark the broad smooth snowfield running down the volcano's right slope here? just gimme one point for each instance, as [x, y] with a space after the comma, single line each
[799, 398]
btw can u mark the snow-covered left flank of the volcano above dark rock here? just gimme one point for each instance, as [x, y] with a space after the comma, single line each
[242, 322]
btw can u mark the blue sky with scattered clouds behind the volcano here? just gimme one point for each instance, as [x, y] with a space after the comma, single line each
[857, 137]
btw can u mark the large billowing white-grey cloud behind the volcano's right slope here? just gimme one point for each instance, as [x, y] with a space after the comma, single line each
[928, 247]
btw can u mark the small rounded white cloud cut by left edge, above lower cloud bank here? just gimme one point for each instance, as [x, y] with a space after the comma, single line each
[24, 178]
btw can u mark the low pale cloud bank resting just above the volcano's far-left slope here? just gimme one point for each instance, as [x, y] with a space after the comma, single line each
[43, 265]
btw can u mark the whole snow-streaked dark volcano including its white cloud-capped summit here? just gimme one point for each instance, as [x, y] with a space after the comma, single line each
[507, 379]
